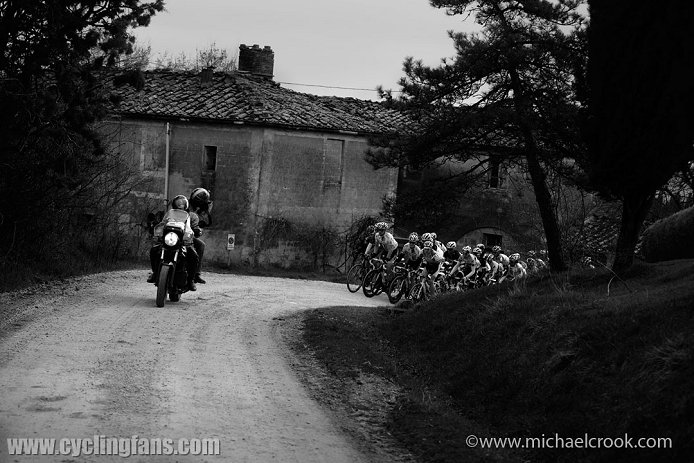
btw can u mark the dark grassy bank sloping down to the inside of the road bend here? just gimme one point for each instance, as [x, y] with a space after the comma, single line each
[560, 357]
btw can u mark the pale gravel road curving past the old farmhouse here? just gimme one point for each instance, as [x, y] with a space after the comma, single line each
[95, 357]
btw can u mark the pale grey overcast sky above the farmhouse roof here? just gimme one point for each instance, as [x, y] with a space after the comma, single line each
[333, 43]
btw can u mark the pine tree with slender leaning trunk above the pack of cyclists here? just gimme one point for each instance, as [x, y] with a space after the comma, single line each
[508, 94]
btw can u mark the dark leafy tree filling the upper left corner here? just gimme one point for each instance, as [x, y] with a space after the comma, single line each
[51, 156]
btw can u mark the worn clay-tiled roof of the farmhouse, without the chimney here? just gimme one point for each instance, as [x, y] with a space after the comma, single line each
[245, 98]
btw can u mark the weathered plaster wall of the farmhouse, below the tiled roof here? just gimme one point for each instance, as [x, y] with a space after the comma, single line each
[309, 178]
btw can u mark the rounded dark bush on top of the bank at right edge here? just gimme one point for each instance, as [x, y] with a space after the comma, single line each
[670, 238]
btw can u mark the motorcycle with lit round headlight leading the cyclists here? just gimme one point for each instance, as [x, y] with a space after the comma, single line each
[172, 277]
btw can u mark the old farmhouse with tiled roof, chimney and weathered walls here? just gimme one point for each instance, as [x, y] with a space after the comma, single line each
[265, 152]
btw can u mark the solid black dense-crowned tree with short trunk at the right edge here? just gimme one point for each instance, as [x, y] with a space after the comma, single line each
[640, 118]
